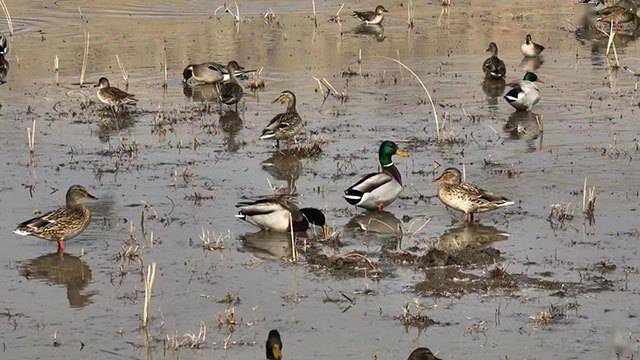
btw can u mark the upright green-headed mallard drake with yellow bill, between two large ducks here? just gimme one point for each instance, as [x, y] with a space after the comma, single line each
[377, 190]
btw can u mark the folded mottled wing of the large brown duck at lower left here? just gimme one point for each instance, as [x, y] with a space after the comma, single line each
[53, 225]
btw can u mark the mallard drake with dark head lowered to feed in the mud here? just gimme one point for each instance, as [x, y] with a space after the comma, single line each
[277, 213]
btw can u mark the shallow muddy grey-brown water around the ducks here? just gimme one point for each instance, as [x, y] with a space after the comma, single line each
[86, 305]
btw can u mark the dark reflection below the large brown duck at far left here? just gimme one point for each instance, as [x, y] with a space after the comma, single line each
[61, 269]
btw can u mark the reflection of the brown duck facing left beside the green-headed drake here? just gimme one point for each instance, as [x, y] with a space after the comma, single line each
[469, 236]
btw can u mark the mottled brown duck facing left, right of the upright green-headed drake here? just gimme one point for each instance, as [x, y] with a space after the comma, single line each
[465, 197]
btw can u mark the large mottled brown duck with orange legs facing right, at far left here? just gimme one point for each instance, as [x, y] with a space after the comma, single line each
[62, 224]
